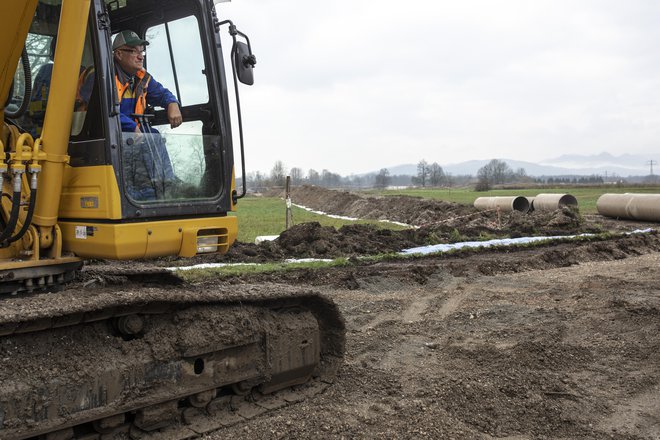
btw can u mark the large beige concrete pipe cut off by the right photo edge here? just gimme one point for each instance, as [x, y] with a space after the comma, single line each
[632, 206]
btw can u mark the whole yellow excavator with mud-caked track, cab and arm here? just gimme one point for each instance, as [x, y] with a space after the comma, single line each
[138, 360]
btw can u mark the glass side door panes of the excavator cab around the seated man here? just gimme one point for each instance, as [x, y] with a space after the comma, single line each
[165, 164]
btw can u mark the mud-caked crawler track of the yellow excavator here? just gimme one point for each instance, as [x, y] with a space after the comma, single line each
[169, 362]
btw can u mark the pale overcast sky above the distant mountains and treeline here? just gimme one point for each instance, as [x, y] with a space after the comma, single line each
[357, 85]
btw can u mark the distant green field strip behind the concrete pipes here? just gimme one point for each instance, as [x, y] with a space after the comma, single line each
[586, 196]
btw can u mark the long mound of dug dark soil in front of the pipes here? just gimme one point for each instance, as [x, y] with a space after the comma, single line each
[436, 222]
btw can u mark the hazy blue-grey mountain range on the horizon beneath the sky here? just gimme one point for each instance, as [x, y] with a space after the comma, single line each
[603, 164]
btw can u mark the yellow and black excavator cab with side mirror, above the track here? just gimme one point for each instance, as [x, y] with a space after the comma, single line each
[109, 193]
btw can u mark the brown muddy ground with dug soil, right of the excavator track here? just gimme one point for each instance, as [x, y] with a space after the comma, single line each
[560, 341]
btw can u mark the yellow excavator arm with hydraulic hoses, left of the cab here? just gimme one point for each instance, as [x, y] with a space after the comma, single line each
[30, 163]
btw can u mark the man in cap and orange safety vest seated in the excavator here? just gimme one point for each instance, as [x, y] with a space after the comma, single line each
[149, 170]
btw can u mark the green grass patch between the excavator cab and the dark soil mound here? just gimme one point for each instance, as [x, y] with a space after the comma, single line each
[267, 216]
